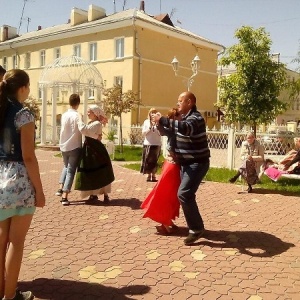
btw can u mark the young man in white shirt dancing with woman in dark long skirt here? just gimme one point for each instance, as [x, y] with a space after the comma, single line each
[88, 163]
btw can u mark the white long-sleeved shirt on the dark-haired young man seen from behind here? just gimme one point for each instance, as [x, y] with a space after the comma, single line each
[70, 136]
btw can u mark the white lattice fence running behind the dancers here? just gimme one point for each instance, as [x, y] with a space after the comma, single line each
[225, 144]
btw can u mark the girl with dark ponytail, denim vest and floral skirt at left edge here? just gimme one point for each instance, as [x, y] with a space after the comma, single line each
[20, 182]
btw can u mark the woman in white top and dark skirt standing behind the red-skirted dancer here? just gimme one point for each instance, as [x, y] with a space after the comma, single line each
[151, 146]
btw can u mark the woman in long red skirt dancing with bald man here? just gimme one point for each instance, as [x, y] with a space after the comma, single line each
[162, 204]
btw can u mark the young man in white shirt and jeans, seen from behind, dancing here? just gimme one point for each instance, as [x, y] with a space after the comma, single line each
[70, 143]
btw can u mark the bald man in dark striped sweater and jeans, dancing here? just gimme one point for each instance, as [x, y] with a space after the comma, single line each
[192, 154]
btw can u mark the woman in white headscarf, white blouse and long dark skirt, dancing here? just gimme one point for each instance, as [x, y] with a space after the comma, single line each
[95, 173]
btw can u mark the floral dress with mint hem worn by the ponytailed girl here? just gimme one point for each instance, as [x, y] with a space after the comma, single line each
[17, 194]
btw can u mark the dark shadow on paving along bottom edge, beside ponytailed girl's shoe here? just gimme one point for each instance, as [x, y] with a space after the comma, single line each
[59, 289]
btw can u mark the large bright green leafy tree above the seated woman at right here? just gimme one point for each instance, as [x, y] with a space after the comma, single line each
[250, 95]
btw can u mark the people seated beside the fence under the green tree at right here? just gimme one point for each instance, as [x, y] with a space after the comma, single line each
[254, 164]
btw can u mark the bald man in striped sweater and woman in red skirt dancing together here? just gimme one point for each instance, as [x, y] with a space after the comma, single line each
[185, 166]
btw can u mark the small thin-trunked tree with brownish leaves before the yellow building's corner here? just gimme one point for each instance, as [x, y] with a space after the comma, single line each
[116, 103]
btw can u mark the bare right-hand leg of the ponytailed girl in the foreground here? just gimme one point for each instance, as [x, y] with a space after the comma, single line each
[18, 229]
